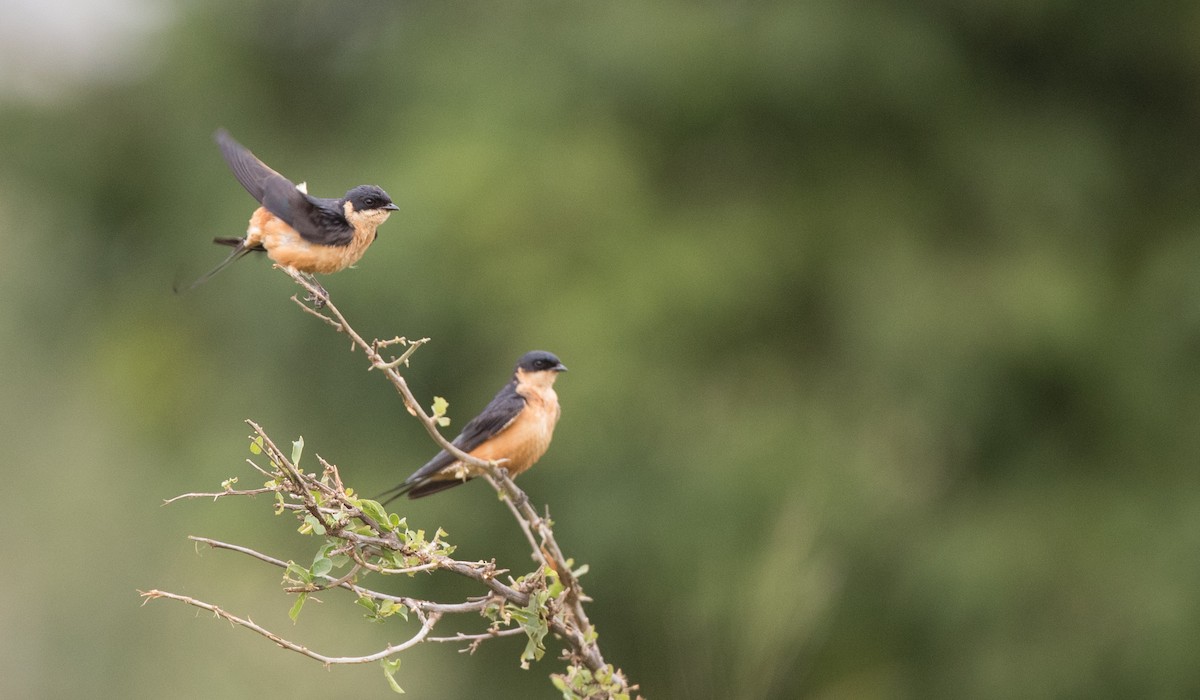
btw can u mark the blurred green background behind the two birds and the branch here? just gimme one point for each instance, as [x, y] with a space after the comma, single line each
[884, 324]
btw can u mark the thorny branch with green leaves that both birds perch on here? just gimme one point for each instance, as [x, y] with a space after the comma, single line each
[358, 540]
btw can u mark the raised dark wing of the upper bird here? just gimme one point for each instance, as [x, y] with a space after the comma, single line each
[316, 220]
